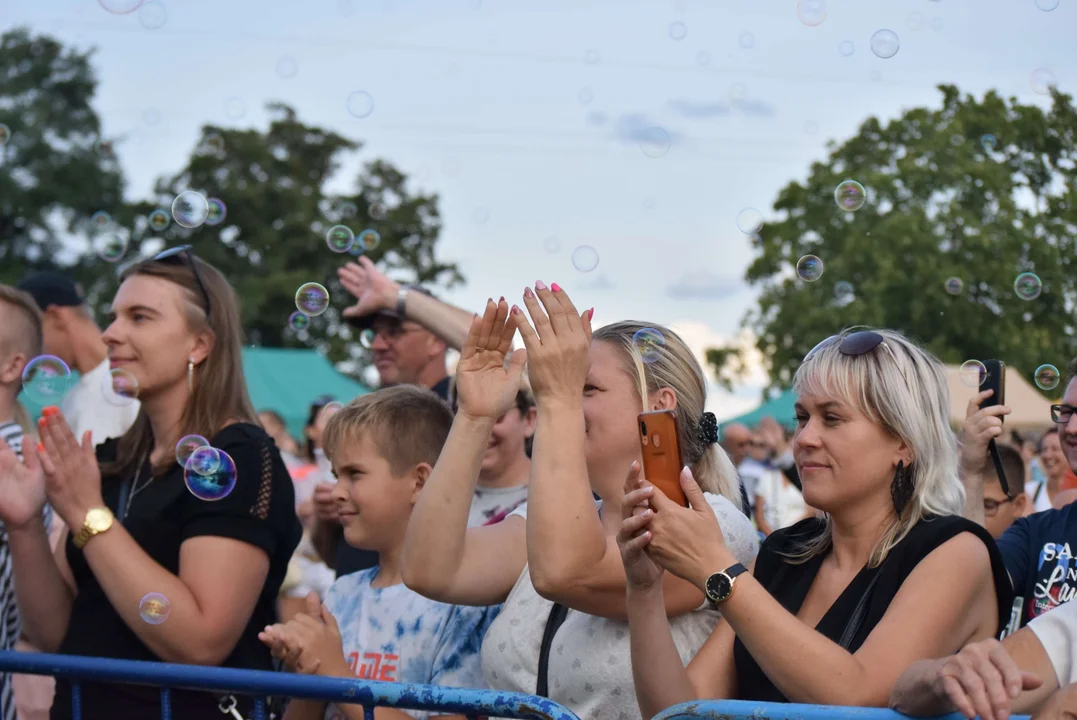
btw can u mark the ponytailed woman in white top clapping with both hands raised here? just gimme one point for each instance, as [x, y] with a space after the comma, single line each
[562, 546]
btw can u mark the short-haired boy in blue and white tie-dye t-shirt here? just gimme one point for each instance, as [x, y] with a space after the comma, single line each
[383, 448]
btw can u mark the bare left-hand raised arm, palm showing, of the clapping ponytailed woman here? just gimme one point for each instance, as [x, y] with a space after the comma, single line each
[443, 559]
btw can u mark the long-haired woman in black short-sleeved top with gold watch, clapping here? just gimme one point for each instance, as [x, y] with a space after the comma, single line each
[150, 571]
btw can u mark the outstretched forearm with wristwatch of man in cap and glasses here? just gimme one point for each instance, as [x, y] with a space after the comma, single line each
[375, 292]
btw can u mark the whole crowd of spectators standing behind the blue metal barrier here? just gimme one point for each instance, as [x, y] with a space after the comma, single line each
[492, 528]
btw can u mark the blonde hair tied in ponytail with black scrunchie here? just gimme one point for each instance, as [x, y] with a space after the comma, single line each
[673, 365]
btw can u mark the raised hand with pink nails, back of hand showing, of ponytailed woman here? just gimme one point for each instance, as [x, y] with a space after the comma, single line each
[558, 346]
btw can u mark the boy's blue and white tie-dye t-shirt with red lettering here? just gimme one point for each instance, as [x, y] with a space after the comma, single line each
[397, 636]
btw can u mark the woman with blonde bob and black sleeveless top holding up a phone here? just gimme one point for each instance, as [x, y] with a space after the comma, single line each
[824, 615]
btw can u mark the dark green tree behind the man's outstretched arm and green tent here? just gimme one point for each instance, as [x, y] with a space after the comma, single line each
[273, 239]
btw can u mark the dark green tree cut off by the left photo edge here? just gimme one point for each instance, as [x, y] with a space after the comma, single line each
[55, 170]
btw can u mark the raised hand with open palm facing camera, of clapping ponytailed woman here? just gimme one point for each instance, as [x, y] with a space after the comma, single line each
[488, 373]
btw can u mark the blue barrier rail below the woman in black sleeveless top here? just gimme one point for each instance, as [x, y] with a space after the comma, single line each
[742, 710]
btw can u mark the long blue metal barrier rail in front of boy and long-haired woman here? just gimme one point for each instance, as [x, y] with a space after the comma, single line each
[261, 684]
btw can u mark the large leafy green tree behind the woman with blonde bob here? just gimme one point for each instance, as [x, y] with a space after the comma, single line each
[977, 190]
